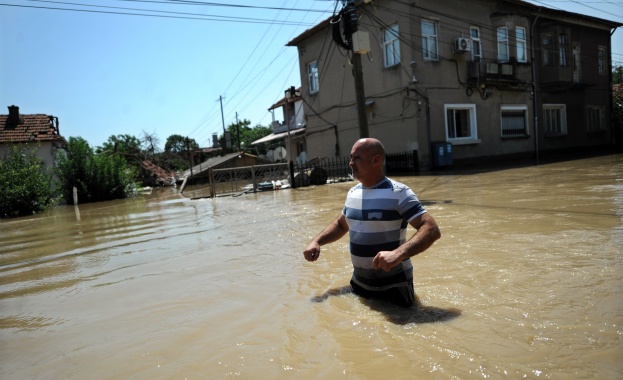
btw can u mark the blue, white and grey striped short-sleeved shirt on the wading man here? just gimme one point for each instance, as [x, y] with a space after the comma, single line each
[377, 219]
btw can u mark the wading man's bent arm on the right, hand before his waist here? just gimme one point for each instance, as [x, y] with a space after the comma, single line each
[427, 233]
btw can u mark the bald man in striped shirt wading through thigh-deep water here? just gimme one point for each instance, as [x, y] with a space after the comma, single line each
[376, 214]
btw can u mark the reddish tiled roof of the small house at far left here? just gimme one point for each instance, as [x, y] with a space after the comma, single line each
[28, 129]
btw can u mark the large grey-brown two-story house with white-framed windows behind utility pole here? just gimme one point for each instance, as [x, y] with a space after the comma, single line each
[489, 78]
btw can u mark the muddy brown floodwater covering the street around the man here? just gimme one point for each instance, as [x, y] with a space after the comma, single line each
[166, 287]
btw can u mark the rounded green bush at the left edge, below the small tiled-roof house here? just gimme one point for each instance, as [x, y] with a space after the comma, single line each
[26, 187]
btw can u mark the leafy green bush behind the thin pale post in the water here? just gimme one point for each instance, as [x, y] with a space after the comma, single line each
[96, 177]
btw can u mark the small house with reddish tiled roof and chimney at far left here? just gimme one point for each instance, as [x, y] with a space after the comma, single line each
[37, 131]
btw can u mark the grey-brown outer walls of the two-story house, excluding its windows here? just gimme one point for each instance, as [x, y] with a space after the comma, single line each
[406, 116]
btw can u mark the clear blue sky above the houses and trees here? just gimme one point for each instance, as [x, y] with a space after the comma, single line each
[164, 67]
